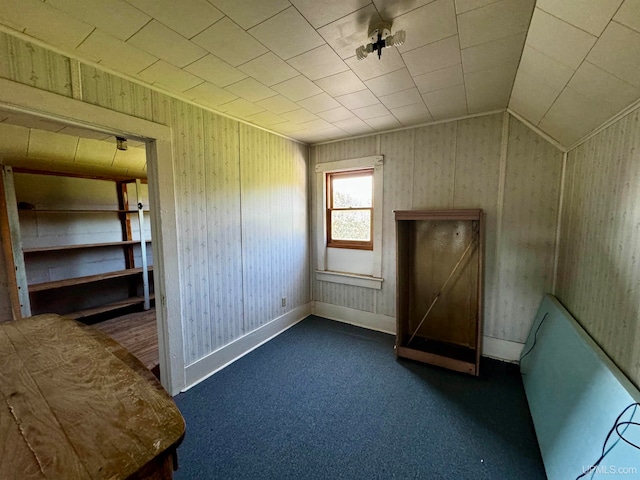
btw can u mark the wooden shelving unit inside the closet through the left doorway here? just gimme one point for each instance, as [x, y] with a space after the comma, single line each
[19, 258]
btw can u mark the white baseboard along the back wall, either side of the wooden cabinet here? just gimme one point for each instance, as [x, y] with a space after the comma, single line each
[499, 349]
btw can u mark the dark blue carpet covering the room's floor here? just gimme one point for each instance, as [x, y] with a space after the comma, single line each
[325, 400]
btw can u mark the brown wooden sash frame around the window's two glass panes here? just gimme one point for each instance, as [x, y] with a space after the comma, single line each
[350, 244]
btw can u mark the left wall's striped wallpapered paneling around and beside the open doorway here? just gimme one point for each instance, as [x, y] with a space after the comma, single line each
[241, 194]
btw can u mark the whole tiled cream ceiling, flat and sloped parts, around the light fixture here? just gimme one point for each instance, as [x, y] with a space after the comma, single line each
[289, 65]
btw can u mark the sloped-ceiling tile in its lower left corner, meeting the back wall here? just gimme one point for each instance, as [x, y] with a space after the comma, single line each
[531, 98]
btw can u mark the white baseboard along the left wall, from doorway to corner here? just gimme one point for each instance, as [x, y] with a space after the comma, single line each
[216, 361]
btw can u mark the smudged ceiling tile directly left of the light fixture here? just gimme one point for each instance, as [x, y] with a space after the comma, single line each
[349, 32]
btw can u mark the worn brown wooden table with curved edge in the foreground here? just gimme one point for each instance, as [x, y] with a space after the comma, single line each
[76, 405]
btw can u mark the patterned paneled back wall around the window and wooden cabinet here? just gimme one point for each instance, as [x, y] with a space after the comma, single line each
[463, 164]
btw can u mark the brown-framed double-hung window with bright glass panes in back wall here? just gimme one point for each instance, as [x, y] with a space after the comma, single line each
[350, 209]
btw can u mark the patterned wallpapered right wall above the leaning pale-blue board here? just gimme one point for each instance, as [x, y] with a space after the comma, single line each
[599, 261]
